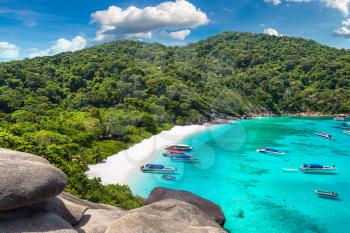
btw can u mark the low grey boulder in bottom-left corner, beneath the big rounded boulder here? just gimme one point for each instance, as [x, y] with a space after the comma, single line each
[18, 221]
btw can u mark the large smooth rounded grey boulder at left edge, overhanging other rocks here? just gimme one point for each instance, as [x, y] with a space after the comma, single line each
[27, 179]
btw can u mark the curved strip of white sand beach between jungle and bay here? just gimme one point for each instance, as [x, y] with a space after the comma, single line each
[119, 167]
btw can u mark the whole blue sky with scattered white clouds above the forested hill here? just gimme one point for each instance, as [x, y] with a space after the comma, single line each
[30, 28]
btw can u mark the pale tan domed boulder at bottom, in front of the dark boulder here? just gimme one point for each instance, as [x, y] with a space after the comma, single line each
[166, 216]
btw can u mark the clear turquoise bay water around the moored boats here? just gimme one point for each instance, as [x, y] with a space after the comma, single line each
[232, 174]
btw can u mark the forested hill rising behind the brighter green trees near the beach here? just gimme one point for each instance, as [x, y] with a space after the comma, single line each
[233, 73]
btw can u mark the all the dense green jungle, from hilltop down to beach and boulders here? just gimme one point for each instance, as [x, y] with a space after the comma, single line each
[78, 108]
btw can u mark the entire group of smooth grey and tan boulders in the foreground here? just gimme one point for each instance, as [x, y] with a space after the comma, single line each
[29, 202]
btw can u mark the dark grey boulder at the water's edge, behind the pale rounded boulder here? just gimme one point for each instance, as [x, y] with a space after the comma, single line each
[212, 210]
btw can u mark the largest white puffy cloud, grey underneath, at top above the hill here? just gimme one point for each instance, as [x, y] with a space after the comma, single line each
[116, 22]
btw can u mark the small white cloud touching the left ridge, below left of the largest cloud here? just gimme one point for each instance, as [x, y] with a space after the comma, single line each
[61, 45]
